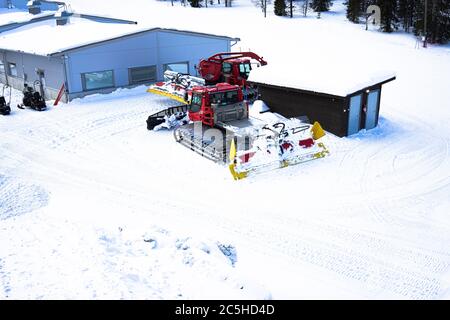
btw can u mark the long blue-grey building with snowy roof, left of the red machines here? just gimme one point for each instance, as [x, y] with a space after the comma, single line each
[89, 56]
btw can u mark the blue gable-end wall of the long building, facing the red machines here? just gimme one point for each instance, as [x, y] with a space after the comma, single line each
[146, 49]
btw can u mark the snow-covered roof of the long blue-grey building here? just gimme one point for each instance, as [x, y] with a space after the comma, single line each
[46, 38]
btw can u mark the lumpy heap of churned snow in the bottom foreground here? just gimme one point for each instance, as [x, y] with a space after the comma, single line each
[182, 267]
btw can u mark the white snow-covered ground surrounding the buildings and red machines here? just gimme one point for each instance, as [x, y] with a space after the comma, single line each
[92, 205]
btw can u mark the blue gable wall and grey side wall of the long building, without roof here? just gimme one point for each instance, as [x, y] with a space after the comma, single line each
[147, 49]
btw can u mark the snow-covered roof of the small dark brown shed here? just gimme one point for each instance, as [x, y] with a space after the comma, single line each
[335, 80]
